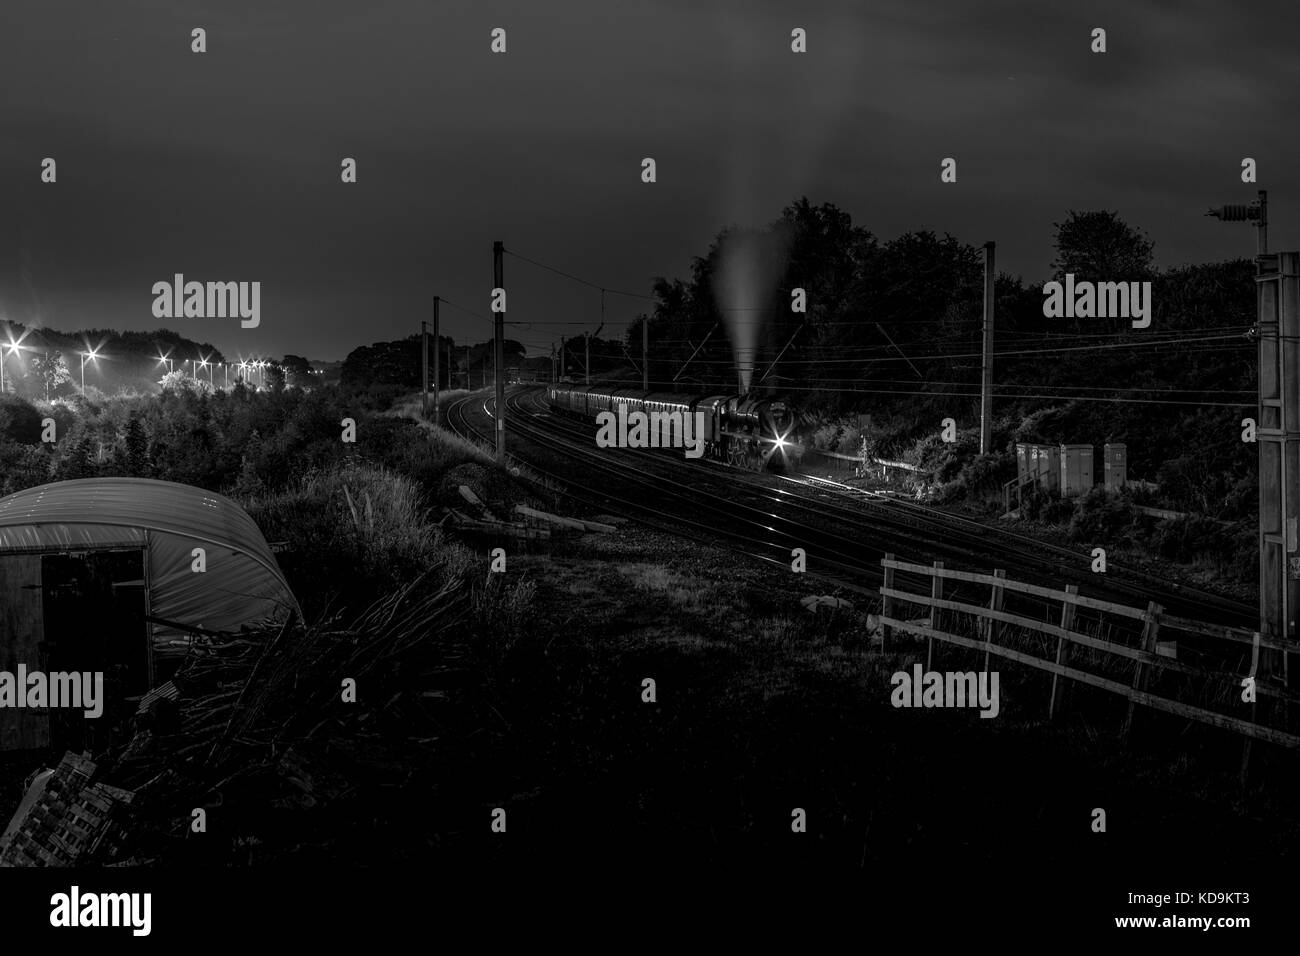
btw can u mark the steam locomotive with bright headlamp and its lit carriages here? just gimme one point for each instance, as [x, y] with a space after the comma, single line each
[746, 431]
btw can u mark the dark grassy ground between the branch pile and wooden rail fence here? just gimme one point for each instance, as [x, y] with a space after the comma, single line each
[764, 708]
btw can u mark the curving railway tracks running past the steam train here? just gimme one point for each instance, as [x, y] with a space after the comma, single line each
[843, 530]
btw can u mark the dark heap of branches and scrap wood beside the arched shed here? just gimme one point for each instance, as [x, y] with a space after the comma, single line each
[249, 734]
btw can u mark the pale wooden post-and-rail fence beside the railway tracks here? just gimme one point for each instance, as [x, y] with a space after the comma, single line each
[1147, 626]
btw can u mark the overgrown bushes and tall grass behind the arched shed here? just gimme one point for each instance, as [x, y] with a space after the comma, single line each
[353, 518]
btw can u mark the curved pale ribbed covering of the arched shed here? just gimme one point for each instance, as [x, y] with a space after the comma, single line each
[168, 521]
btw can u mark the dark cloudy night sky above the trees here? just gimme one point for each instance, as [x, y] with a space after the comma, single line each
[226, 166]
